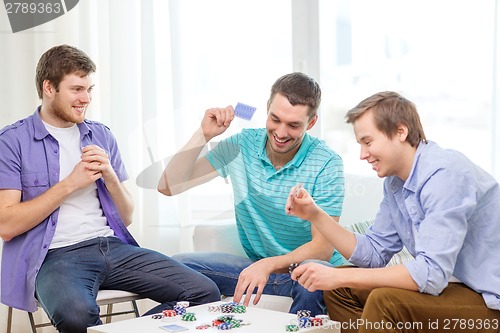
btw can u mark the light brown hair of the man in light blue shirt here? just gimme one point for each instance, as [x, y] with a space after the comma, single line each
[390, 110]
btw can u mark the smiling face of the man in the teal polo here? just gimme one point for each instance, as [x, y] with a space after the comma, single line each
[286, 126]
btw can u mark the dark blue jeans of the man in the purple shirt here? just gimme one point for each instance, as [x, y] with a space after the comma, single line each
[68, 281]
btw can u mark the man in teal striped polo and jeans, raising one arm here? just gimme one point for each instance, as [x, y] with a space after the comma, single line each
[263, 164]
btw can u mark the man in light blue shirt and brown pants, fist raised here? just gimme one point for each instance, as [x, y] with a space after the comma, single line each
[437, 203]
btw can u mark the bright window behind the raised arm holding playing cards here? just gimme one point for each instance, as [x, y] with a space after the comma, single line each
[222, 52]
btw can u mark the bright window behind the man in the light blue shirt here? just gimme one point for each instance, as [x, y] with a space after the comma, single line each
[438, 54]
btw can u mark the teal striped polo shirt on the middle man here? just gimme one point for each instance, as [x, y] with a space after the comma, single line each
[261, 191]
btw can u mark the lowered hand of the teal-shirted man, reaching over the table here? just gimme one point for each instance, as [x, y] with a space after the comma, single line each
[254, 276]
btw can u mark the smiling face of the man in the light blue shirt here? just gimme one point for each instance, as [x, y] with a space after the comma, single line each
[388, 157]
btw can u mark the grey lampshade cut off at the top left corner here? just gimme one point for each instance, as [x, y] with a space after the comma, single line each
[28, 14]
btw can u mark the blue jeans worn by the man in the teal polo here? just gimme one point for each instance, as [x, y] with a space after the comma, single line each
[224, 269]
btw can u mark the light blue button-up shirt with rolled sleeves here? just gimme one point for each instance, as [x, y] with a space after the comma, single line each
[447, 214]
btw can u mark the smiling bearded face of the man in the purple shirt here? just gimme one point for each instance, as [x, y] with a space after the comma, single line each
[67, 105]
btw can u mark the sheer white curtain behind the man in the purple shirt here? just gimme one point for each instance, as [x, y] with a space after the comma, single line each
[119, 35]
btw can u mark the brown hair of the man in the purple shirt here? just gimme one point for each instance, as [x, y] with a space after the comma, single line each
[60, 61]
